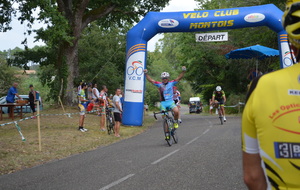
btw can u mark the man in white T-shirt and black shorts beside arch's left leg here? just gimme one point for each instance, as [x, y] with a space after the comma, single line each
[117, 111]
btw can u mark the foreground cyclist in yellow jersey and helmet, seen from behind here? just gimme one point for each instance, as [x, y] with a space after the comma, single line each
[270, 126]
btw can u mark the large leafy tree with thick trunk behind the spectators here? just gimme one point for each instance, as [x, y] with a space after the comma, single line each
[66, 19]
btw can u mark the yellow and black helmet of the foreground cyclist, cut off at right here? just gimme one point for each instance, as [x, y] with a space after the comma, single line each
[291, 22]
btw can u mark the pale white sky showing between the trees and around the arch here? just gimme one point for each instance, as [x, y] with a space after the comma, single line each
[14, 37]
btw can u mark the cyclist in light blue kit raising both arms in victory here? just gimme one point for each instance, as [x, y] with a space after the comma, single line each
[166, 92]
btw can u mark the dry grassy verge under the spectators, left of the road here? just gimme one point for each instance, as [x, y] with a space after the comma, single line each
[59, 136]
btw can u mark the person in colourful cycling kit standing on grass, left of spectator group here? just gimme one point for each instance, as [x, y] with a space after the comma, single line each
[82, 105]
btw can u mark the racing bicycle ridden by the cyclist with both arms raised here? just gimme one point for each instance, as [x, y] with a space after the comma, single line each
[168, 126]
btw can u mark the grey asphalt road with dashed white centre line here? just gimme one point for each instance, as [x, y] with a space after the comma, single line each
[207, 157]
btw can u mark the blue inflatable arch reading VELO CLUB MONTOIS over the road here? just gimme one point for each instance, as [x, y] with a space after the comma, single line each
[189, 21]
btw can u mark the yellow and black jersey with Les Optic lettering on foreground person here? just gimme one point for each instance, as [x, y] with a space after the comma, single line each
[271, 126]
